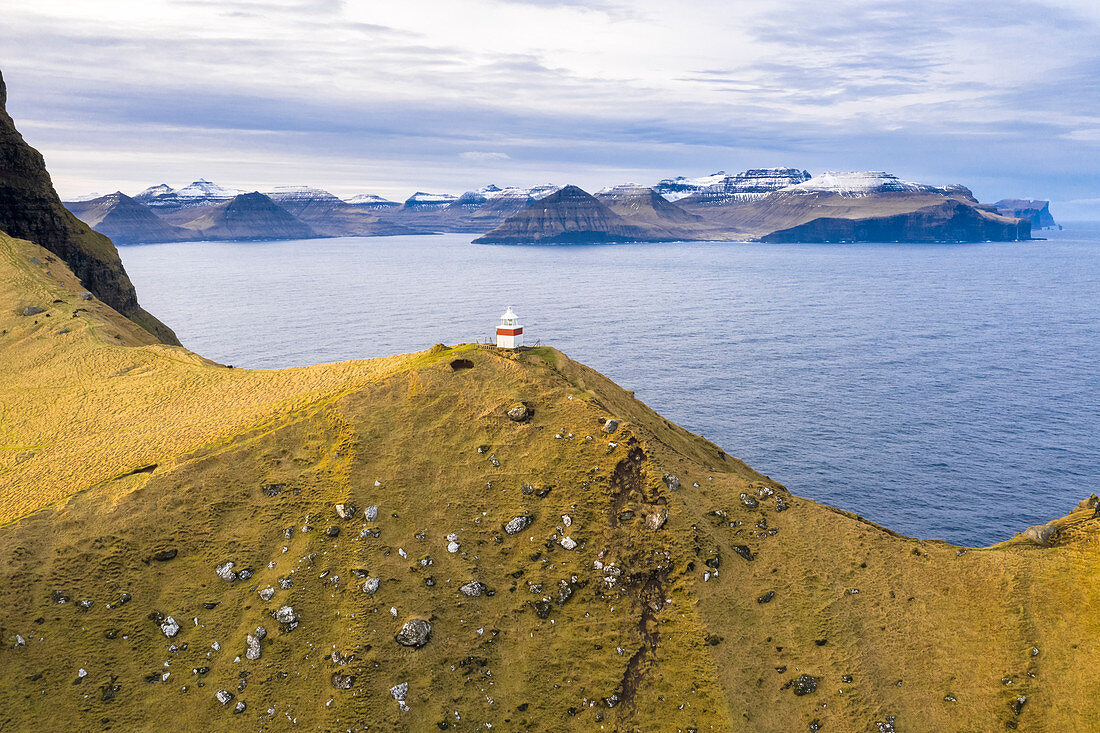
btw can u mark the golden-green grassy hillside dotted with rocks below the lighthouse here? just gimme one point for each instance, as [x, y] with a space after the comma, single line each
[84, 408]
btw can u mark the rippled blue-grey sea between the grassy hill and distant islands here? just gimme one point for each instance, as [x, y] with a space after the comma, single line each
[945, 391]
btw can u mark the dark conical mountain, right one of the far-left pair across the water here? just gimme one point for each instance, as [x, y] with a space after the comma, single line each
[249, 217]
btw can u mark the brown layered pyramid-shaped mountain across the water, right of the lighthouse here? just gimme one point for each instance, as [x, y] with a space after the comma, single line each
[570, 215]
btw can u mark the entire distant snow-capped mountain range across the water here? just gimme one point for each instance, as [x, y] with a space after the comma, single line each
[778, 205]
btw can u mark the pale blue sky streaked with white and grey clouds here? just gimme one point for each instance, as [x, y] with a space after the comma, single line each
[445, 96]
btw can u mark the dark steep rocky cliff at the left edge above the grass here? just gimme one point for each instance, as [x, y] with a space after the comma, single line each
[31, 210]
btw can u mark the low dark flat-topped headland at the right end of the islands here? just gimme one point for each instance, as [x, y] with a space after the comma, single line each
[949, 222]
